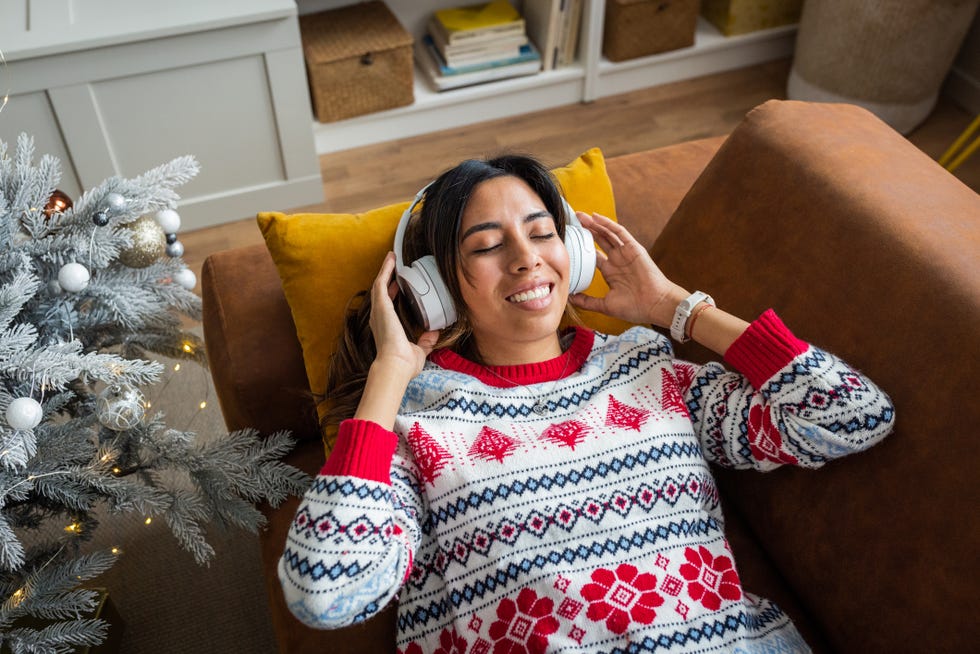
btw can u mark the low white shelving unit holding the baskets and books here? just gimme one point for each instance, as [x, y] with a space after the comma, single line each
[593, 77]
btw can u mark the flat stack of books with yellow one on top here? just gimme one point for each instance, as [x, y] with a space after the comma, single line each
[474, 44]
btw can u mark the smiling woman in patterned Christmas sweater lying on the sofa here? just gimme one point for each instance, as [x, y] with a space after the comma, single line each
[523, 487]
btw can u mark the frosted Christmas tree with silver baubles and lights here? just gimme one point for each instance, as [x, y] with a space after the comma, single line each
[88, 292]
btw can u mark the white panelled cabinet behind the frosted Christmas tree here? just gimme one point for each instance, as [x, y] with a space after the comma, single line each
[115, 87]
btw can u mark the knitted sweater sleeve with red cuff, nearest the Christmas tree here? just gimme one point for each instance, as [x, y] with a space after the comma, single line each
[352, 541]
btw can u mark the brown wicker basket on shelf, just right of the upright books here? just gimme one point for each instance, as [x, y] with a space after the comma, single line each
[636, 28]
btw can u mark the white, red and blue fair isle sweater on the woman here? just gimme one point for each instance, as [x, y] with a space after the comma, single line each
[592, 527]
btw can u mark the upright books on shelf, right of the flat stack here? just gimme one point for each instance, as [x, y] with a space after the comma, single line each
[553, 26]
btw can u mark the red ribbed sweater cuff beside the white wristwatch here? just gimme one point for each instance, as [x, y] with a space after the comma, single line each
[764, 349]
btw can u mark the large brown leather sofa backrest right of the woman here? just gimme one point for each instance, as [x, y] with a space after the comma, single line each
[867, 248]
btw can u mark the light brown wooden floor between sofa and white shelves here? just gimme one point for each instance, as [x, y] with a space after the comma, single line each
[375, 175]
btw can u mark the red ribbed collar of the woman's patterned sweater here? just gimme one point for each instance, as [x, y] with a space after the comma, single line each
[521, 375]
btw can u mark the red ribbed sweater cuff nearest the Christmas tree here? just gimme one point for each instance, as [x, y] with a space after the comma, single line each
[364, 450]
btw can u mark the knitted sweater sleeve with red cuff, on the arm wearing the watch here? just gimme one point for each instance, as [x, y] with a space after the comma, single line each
[792, 403]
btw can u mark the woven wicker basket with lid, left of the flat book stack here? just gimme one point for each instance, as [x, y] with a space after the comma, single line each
[358, 60]
